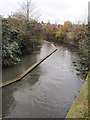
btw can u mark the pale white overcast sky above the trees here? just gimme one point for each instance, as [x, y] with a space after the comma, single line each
[55, 11]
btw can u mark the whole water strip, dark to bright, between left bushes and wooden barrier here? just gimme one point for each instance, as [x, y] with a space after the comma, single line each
[26, 61]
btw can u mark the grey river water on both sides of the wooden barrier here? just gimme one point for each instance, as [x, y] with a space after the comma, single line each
[46, 92]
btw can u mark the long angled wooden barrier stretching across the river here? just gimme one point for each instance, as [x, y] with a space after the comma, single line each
[26, 71]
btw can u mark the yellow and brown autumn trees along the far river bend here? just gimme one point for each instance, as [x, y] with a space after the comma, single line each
[68, 33]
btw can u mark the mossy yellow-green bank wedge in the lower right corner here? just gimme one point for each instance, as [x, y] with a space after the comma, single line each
[79, 108]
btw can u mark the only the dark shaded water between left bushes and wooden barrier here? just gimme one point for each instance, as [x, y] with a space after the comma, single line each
[26, 61]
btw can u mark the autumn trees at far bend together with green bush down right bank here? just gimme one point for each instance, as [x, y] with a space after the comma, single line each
[72, 34]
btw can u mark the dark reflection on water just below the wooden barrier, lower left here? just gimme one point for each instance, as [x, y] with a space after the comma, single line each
[9, 100]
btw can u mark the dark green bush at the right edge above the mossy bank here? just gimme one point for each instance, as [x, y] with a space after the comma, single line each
[84, 54]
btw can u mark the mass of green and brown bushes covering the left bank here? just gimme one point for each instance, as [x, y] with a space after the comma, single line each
[18, 38]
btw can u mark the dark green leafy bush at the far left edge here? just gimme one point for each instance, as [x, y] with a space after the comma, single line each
[10, 48]
